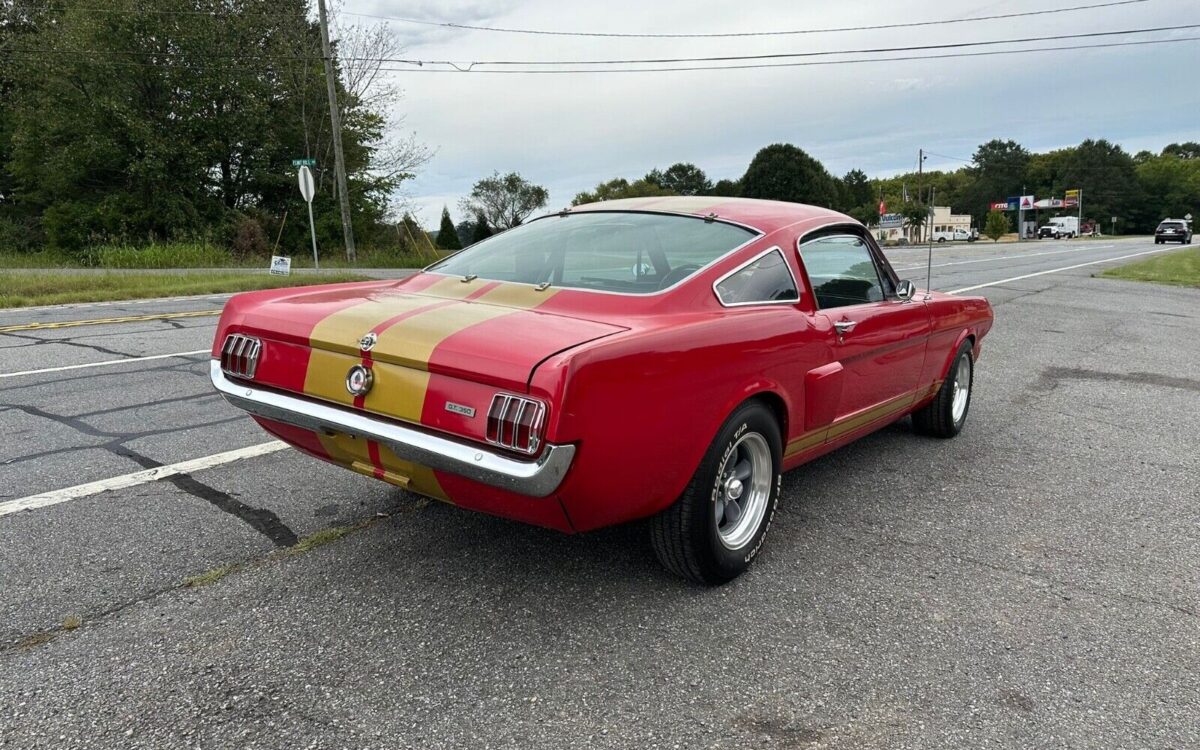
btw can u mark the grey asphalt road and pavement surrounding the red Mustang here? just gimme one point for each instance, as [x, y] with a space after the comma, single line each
[1034, 584]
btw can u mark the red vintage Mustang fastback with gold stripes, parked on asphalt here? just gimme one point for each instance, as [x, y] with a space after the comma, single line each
[663, 358]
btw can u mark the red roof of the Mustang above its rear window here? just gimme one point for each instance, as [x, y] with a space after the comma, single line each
[764, 215]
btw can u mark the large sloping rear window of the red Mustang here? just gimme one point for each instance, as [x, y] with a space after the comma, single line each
[634, 254]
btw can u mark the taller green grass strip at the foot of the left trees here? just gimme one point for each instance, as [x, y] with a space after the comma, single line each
[200, 256]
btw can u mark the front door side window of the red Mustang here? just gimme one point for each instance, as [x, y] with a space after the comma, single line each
[842, 271]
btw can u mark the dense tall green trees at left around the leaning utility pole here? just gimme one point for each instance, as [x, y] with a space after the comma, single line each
[185, 143]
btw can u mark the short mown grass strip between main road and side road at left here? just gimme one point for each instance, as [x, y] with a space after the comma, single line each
[26, 290]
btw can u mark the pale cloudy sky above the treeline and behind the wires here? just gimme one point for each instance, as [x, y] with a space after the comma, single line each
[572, 133]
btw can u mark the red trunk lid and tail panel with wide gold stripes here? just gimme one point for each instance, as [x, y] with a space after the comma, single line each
[440, 355]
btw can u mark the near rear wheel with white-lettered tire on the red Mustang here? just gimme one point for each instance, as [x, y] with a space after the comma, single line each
[717, 527]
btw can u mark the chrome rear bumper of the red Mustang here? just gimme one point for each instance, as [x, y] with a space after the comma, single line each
[537, 478]
